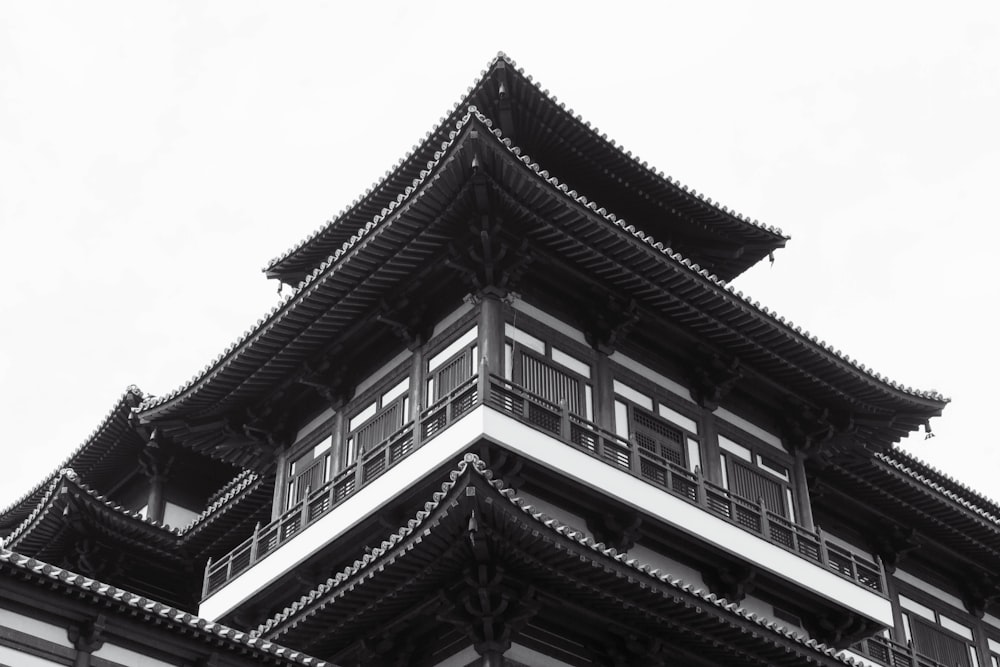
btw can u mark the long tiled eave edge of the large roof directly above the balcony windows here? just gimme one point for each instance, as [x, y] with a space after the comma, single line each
[731, 298]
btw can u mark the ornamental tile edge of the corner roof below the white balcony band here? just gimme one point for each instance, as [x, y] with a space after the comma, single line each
[472, 462]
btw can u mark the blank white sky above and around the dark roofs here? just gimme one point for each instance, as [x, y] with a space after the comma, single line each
[154, 156]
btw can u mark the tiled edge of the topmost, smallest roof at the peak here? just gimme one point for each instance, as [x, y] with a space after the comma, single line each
[383, 188]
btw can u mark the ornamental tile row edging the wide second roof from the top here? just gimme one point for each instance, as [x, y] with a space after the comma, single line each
[320, 272]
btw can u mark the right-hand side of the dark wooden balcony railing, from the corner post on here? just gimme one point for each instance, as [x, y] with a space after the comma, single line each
[692, 487]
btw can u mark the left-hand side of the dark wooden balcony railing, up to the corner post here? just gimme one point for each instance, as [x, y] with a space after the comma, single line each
[316, 503]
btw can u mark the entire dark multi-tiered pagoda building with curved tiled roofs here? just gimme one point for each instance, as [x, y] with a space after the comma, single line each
[512, 412]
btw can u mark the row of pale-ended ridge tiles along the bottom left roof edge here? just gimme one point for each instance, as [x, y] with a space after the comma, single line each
[143, 604]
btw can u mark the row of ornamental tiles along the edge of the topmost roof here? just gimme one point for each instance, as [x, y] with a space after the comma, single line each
[501, 56]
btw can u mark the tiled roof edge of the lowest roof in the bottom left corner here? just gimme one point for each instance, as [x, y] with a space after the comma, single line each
[153, 611]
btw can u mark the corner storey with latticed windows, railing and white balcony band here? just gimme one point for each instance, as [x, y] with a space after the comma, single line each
[614, 436]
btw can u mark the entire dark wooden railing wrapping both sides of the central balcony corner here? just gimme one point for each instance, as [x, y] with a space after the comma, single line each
[555, 420]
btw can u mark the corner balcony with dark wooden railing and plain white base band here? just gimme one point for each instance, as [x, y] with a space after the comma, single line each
[509, 415]
